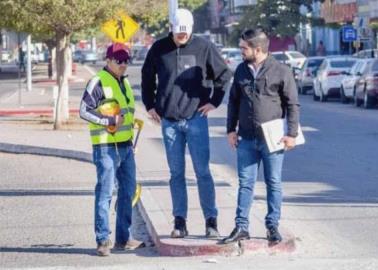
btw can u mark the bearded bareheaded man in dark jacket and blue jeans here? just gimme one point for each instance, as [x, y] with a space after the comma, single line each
[263, 90]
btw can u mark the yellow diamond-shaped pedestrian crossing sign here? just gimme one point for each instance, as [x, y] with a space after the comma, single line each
[121, 28]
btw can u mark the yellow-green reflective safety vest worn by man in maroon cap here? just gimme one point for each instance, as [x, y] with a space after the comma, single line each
[111, 89]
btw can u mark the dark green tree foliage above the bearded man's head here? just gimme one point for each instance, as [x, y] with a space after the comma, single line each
[277, 17]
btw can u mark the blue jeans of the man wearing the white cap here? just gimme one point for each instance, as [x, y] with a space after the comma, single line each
[195, 133]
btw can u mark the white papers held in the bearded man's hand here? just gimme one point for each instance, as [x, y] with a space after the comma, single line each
[275, 130]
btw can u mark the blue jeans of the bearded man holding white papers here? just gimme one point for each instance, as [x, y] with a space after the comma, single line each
[249, 155]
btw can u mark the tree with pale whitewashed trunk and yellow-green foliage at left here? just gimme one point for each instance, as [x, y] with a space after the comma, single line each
[59, 18]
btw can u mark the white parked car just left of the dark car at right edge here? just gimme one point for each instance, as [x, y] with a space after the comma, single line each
[348, 83]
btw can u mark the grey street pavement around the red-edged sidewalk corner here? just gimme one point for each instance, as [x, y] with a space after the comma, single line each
[330, 199]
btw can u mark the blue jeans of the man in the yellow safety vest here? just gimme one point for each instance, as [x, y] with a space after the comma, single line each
[112, 166]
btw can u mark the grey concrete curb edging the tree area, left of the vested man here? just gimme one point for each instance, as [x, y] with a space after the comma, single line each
[45, 151]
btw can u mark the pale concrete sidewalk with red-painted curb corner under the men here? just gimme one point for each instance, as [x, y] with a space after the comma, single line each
[28, 129]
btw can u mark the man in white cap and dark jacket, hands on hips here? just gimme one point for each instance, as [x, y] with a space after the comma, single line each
[192, 77]
